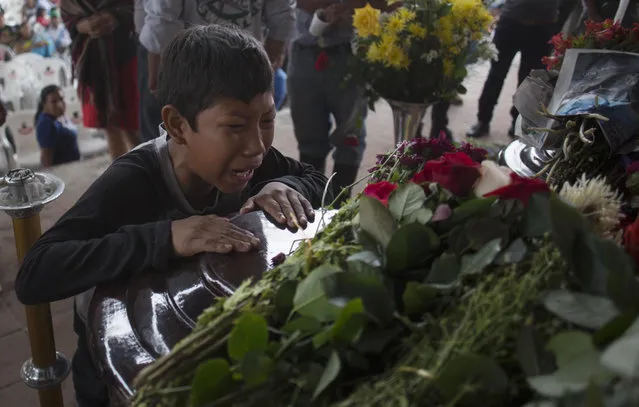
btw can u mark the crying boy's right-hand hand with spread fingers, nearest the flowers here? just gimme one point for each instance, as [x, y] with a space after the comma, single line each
[283, 203]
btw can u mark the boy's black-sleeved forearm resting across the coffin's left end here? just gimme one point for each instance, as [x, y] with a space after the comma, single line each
[58, 267]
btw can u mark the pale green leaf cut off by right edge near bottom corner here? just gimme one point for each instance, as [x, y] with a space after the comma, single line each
[622, 356]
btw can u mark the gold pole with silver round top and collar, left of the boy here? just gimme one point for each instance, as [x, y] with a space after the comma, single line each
[23, 194]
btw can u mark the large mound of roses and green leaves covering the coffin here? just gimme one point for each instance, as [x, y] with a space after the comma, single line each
[449, 281]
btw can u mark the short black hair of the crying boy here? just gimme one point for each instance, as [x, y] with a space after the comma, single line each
[204, 64]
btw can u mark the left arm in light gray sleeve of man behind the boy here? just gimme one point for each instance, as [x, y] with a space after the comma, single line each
[163, 21]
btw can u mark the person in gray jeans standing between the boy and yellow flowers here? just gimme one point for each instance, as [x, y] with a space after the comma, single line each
[317, 92]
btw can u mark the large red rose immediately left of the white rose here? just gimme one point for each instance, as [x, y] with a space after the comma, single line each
[456, 172]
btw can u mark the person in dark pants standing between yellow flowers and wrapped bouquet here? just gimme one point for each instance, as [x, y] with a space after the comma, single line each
[524, 26]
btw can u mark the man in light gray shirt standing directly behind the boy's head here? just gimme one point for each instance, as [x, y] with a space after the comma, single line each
[271, 21]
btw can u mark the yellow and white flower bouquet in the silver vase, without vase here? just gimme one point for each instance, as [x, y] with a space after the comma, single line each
[417, 53]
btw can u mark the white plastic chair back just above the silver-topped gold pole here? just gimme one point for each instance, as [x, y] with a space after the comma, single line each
[23, 128]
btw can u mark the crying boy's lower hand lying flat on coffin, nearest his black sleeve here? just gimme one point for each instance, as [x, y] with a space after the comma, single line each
[210, 233]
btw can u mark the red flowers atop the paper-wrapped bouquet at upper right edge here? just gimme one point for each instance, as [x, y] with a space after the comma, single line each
[604, 35]
